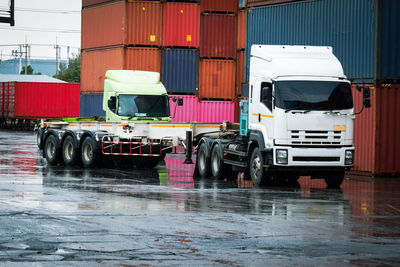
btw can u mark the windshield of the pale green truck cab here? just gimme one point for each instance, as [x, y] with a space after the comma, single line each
[143, 106]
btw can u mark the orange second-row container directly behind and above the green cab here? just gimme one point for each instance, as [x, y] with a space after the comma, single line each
[96, 63]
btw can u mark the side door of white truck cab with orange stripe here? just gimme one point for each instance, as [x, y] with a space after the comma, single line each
[261, 107]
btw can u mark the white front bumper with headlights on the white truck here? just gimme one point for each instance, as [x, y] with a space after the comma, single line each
[313, 157]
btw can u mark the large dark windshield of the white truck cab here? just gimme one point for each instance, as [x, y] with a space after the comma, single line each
[313, 95]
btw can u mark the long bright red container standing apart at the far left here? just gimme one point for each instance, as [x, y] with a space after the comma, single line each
[51, 100]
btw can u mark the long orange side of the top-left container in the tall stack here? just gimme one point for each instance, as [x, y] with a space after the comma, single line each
[103, 25]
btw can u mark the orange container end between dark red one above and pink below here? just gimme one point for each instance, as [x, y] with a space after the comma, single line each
[217, 79]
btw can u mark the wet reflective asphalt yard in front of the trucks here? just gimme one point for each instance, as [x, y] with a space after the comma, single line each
[54, 216]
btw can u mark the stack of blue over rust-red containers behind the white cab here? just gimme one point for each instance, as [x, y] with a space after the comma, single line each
[364, 35]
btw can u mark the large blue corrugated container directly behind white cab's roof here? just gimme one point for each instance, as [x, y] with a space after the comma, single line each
[347, 26]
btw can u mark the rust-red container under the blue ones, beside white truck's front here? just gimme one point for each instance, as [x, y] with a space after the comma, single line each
[377, 131]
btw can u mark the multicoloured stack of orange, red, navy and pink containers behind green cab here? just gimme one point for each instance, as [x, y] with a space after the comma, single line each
[163, 37]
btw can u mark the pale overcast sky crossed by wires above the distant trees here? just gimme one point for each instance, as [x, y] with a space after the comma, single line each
[42, 23]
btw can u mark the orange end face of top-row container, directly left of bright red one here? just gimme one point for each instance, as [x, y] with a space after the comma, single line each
[144, 23]
